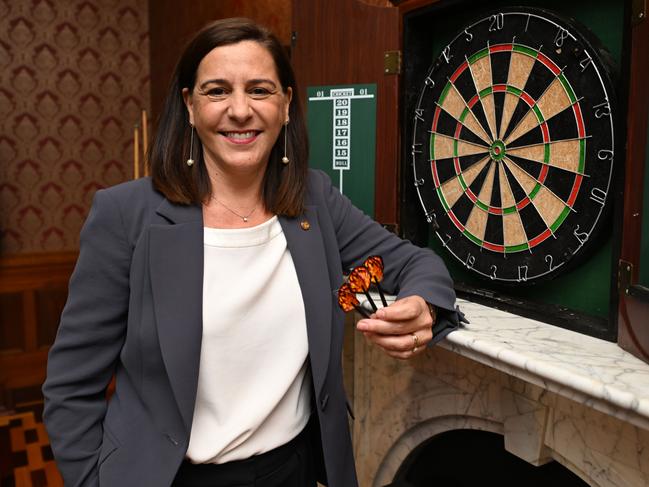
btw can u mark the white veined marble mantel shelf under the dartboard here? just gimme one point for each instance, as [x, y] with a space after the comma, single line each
[574, 365]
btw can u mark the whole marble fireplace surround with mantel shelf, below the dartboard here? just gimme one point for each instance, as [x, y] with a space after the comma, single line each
[553, 394]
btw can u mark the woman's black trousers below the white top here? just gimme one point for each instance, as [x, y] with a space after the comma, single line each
[290, 465]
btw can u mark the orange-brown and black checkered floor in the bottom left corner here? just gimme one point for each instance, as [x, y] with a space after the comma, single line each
[25, 455]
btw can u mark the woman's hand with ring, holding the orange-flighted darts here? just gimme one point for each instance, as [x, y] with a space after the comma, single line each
[402, 329]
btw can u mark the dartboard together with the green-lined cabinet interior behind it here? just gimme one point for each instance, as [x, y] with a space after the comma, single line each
[511, 153]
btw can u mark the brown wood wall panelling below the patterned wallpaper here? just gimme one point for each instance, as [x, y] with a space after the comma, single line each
[33, 290]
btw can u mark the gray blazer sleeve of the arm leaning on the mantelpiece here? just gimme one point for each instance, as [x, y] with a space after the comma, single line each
[409, 270]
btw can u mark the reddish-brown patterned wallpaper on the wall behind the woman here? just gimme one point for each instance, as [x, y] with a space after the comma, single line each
[74, 76]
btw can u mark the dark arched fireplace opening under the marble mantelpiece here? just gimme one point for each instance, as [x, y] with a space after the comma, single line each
[467, 458]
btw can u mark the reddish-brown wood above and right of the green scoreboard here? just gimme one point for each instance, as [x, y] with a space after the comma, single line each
[344, 42]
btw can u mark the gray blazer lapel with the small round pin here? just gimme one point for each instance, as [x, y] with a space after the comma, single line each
[305, 243]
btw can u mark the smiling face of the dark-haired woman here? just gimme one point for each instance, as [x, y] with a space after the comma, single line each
[237, 107]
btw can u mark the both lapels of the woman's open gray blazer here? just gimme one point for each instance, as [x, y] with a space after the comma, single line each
[176, 263]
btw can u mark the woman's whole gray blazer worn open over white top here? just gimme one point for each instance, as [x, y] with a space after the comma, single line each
[134, 310]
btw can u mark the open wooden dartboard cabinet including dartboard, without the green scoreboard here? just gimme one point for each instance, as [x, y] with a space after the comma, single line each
[511, 139]
